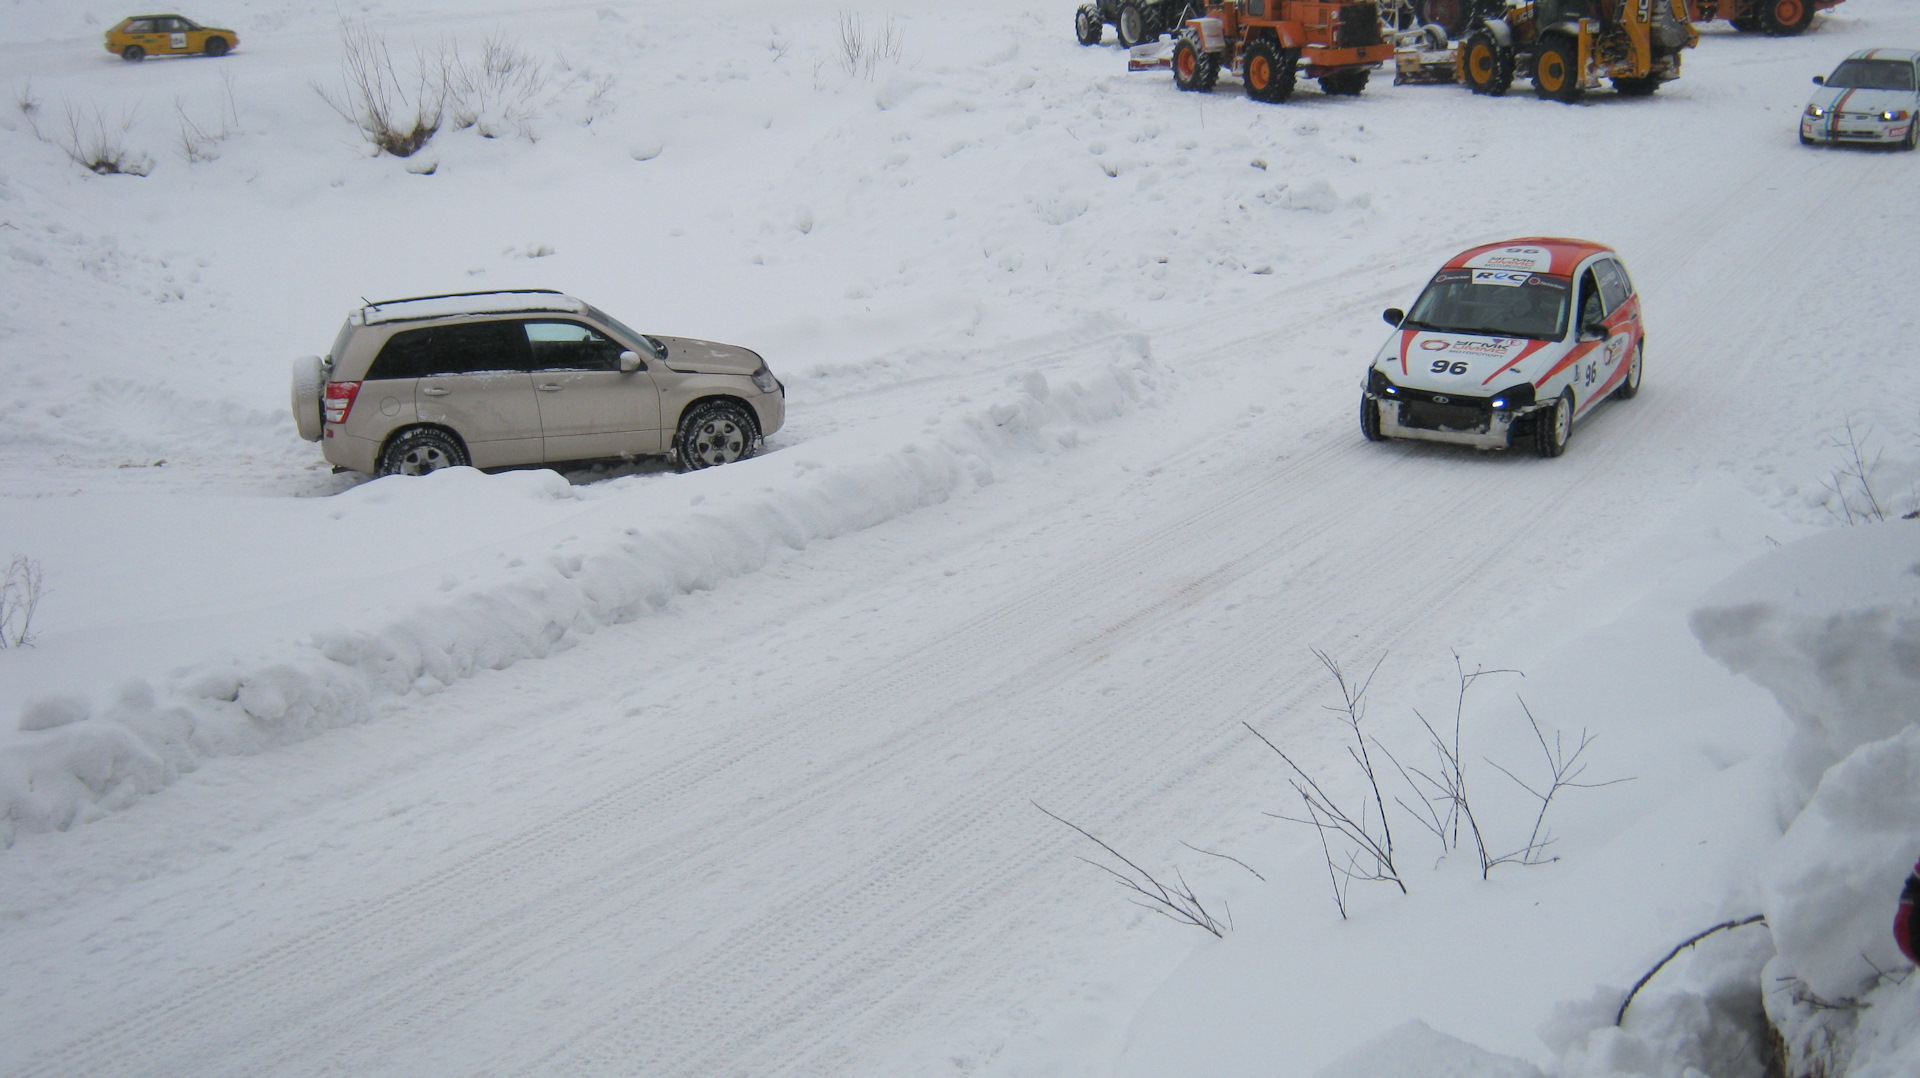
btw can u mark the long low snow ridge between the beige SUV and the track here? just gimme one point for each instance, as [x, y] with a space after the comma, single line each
[76, 760]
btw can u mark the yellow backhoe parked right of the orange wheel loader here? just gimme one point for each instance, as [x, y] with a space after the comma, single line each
[1568, 47]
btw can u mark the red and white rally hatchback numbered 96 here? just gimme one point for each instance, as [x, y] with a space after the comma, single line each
[1508, 347]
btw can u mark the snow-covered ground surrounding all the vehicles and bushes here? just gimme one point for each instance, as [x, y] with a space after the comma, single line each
[736, 773]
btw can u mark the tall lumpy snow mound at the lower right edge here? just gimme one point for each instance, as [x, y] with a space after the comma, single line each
[1833, 629]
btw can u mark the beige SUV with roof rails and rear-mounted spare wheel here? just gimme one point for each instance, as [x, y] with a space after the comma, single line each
[498, 380]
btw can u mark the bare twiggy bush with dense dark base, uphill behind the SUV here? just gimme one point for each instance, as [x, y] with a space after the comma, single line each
[396, 114]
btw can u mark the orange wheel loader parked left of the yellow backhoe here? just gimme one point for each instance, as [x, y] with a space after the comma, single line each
[1270, 45]
